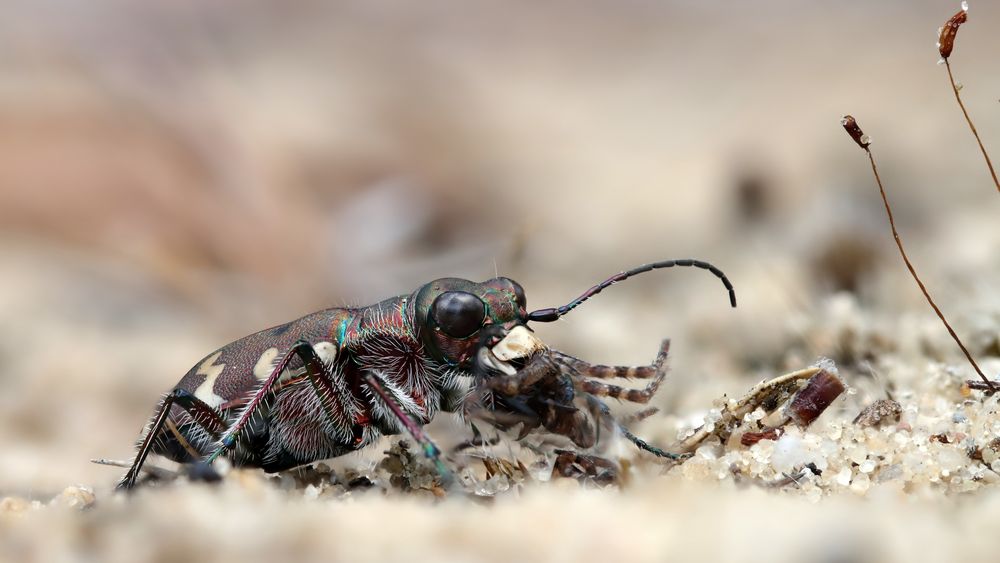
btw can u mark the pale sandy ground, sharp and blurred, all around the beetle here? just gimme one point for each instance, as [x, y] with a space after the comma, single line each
[174, 176]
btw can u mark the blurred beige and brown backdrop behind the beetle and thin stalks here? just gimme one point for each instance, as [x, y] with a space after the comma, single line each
[177, 174]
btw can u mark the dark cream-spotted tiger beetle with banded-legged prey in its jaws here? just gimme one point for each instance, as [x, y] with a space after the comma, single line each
[335, 381]
